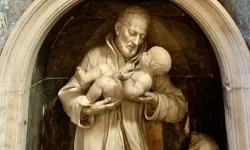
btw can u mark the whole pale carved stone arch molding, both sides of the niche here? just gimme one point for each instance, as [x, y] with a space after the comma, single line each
[19, 54]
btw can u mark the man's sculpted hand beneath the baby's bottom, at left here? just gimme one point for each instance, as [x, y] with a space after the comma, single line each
[100, 106]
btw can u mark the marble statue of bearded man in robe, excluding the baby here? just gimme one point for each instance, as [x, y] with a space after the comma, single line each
[120, 125]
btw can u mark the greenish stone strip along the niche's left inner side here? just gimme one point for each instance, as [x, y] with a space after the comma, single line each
[36, 101]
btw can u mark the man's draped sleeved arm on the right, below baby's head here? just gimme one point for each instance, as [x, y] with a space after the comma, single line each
[171, 105]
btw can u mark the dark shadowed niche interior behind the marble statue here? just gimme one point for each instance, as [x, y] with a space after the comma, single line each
[194, 70]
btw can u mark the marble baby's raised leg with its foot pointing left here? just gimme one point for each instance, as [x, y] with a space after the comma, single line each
[94, 73]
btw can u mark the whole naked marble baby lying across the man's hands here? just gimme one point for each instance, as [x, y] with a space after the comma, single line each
[154, 62]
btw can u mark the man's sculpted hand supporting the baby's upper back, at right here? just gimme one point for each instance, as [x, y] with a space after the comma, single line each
[150, 98]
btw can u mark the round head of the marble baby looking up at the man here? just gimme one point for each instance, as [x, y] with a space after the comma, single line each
[157, 60]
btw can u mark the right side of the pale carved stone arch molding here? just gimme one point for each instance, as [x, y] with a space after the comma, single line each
[234, 61]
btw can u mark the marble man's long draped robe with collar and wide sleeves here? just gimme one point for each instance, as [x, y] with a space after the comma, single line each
[122, 128]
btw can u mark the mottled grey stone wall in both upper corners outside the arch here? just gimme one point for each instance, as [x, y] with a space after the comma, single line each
[11, 11]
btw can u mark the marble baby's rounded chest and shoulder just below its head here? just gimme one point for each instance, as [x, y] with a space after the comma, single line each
[136, 85]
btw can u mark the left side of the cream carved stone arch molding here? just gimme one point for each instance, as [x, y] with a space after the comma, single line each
[16, 65]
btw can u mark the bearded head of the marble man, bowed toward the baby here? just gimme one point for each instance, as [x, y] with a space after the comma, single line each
[131, 30]
